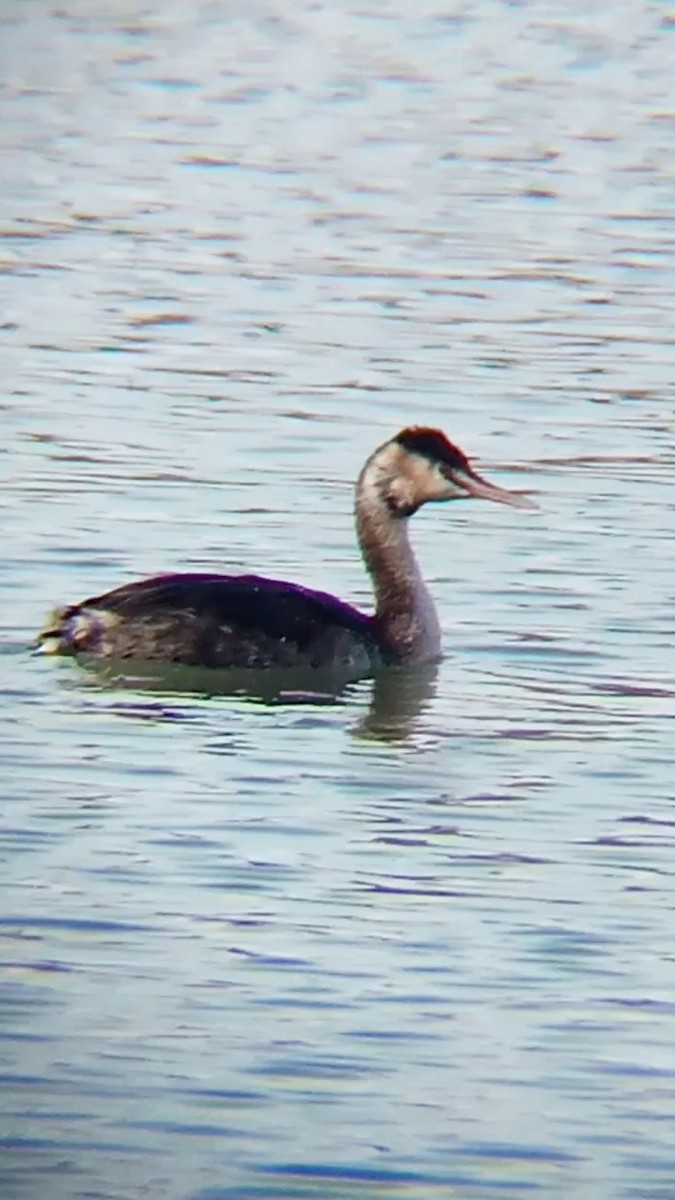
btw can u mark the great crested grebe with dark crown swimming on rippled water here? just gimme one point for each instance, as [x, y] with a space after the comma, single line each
[246, 621]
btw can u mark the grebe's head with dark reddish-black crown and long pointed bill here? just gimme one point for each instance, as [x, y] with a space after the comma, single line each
[421, 465]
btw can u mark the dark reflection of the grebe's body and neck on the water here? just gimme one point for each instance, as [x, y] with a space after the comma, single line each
[397, 698]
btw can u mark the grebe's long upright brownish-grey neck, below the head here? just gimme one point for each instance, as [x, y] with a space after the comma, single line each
[404, 611]
